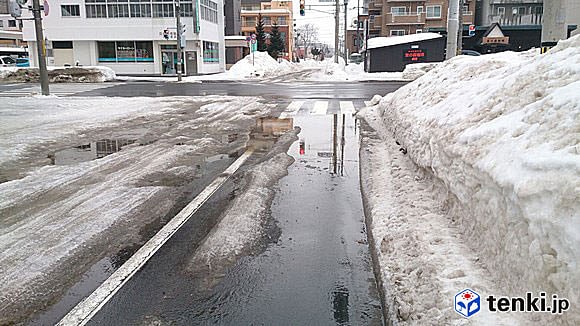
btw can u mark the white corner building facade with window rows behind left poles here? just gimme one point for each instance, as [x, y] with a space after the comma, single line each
[130, 36]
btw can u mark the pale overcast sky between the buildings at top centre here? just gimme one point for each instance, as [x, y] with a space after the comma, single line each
[324, 21]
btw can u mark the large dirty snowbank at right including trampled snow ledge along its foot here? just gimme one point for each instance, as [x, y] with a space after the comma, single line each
[499, 133]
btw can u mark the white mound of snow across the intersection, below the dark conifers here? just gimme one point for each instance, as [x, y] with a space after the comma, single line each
[259, 64]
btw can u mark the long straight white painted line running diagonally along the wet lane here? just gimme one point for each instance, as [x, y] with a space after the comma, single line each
[86, 309]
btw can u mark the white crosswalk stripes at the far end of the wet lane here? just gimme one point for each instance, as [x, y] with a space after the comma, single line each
[321, 107]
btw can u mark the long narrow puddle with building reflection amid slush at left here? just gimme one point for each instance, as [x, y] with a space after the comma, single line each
[90, 151]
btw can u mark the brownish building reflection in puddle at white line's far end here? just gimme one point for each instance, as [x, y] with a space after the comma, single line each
[267, 131]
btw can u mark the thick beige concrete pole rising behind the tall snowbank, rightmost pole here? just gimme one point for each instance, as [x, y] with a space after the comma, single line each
[553, 24]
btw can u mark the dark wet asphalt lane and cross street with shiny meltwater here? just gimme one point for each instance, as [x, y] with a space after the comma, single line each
[314, 266]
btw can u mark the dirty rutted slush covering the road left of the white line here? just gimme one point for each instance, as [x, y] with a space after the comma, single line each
[58, 220]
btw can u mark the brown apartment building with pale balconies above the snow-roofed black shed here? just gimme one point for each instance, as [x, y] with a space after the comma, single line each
[399, 17]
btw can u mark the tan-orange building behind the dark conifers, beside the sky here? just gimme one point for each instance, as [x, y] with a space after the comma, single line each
[272, 12]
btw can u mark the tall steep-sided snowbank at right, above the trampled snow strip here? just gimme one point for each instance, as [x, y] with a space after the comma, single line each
[501, 133]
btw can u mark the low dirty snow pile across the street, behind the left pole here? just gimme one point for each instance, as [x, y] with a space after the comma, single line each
[89, 74]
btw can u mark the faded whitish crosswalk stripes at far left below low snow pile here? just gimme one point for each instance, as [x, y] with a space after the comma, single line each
[67, 89]
